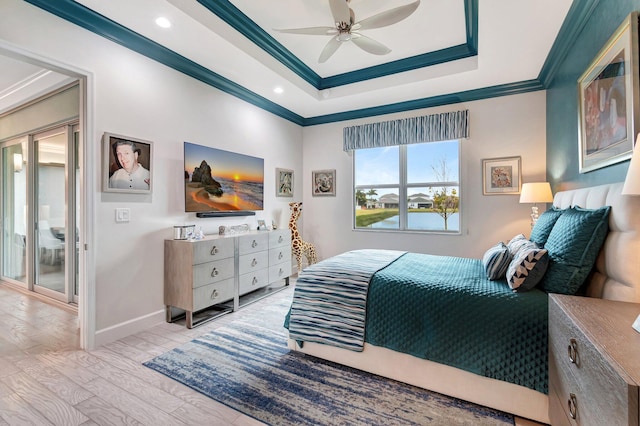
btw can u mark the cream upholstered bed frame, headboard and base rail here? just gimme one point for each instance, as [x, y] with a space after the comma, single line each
[617, 277]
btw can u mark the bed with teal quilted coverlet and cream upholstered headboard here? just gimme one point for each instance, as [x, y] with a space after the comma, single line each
[454, 365]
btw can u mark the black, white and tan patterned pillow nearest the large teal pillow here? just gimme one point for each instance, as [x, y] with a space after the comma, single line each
[527, 268]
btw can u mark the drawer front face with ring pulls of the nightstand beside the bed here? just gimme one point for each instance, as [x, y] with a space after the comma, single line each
[578, 371]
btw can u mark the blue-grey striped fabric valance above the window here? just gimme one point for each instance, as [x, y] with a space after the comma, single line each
[428, 128]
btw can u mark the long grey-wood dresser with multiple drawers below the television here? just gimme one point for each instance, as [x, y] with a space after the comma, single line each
[224, 272]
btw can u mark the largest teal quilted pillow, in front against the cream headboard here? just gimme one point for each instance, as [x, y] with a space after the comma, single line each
[573, 245]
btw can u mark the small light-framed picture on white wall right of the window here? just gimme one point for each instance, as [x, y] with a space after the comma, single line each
[501, 176]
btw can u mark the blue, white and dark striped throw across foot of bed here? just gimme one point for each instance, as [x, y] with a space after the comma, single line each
[330, 298]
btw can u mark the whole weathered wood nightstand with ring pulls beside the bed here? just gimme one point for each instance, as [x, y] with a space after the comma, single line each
[594, 362]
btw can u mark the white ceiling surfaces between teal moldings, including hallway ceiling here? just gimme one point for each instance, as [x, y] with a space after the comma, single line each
[514, 39]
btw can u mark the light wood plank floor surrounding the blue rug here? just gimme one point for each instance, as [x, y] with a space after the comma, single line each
[45, 379]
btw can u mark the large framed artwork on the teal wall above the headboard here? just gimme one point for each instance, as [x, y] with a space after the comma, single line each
[608, 100]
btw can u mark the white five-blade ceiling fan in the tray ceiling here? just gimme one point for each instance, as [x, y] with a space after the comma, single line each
[347, 29]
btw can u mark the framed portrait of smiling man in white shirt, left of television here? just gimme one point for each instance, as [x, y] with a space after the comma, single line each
[127, 164]
